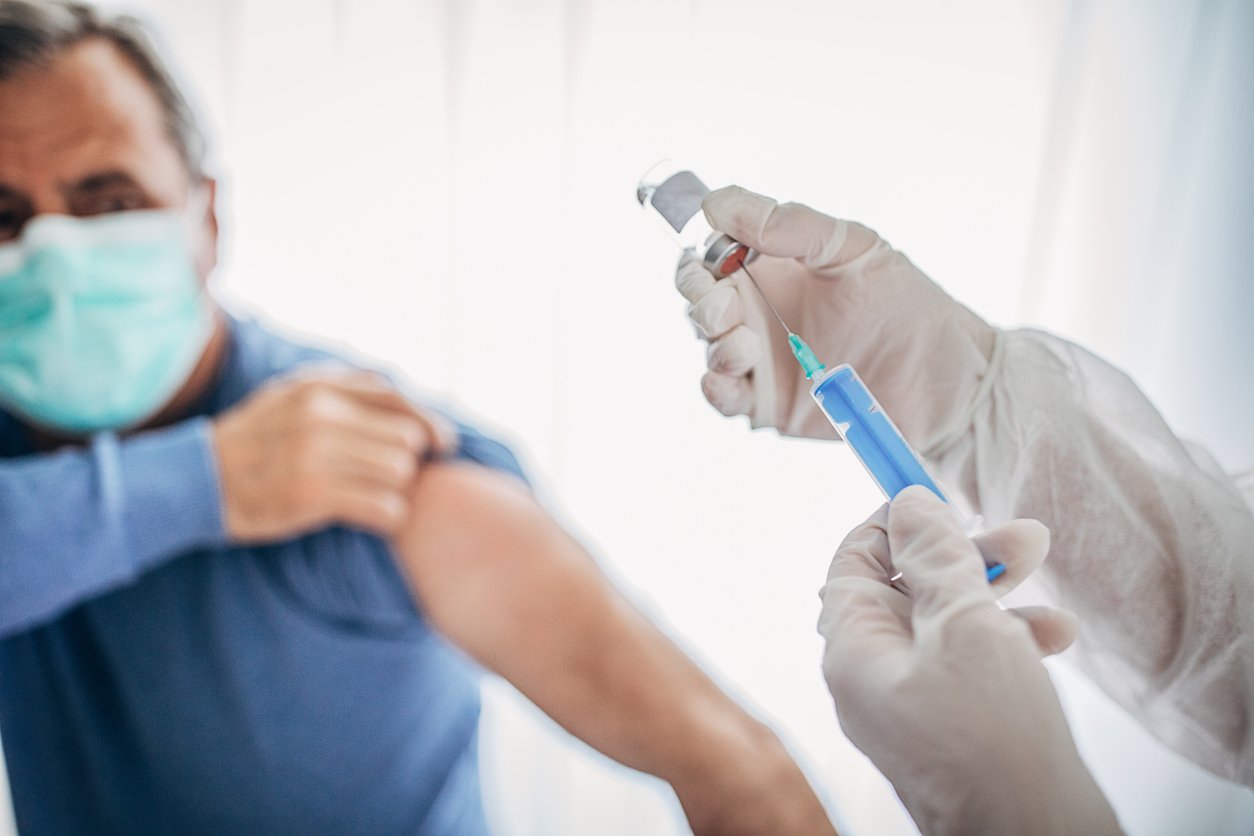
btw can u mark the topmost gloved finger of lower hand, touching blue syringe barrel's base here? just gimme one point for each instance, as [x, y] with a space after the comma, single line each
[941, 565]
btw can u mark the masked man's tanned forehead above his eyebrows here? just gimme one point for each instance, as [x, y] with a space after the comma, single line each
[85, 110]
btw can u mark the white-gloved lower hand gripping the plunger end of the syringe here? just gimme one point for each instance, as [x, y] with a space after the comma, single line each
[945, 691]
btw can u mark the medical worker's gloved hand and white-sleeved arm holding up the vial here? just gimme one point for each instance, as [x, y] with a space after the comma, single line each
[1154, 545]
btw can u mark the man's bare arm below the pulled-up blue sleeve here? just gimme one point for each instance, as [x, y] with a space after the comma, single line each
[501, 580]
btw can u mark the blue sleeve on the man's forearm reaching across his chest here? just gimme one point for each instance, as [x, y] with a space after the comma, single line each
[78, 523]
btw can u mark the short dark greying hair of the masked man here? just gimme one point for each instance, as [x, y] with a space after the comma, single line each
[34, 32]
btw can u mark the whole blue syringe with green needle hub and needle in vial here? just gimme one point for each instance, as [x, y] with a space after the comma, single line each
[863, 424]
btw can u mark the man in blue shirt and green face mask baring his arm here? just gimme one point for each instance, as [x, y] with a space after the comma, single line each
[211, 552]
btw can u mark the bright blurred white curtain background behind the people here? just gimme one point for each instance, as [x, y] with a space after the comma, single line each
[450, 187]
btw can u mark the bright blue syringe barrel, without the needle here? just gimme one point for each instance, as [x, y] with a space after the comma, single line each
[871, 434]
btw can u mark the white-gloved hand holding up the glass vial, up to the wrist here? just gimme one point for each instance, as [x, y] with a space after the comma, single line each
[853, 299]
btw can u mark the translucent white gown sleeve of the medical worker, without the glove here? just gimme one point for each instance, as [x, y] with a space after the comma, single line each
[1153, 545]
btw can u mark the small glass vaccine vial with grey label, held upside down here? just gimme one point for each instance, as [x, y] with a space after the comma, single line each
[675, 195]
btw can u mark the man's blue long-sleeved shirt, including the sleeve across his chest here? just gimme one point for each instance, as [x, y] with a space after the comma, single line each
[157, 680]
